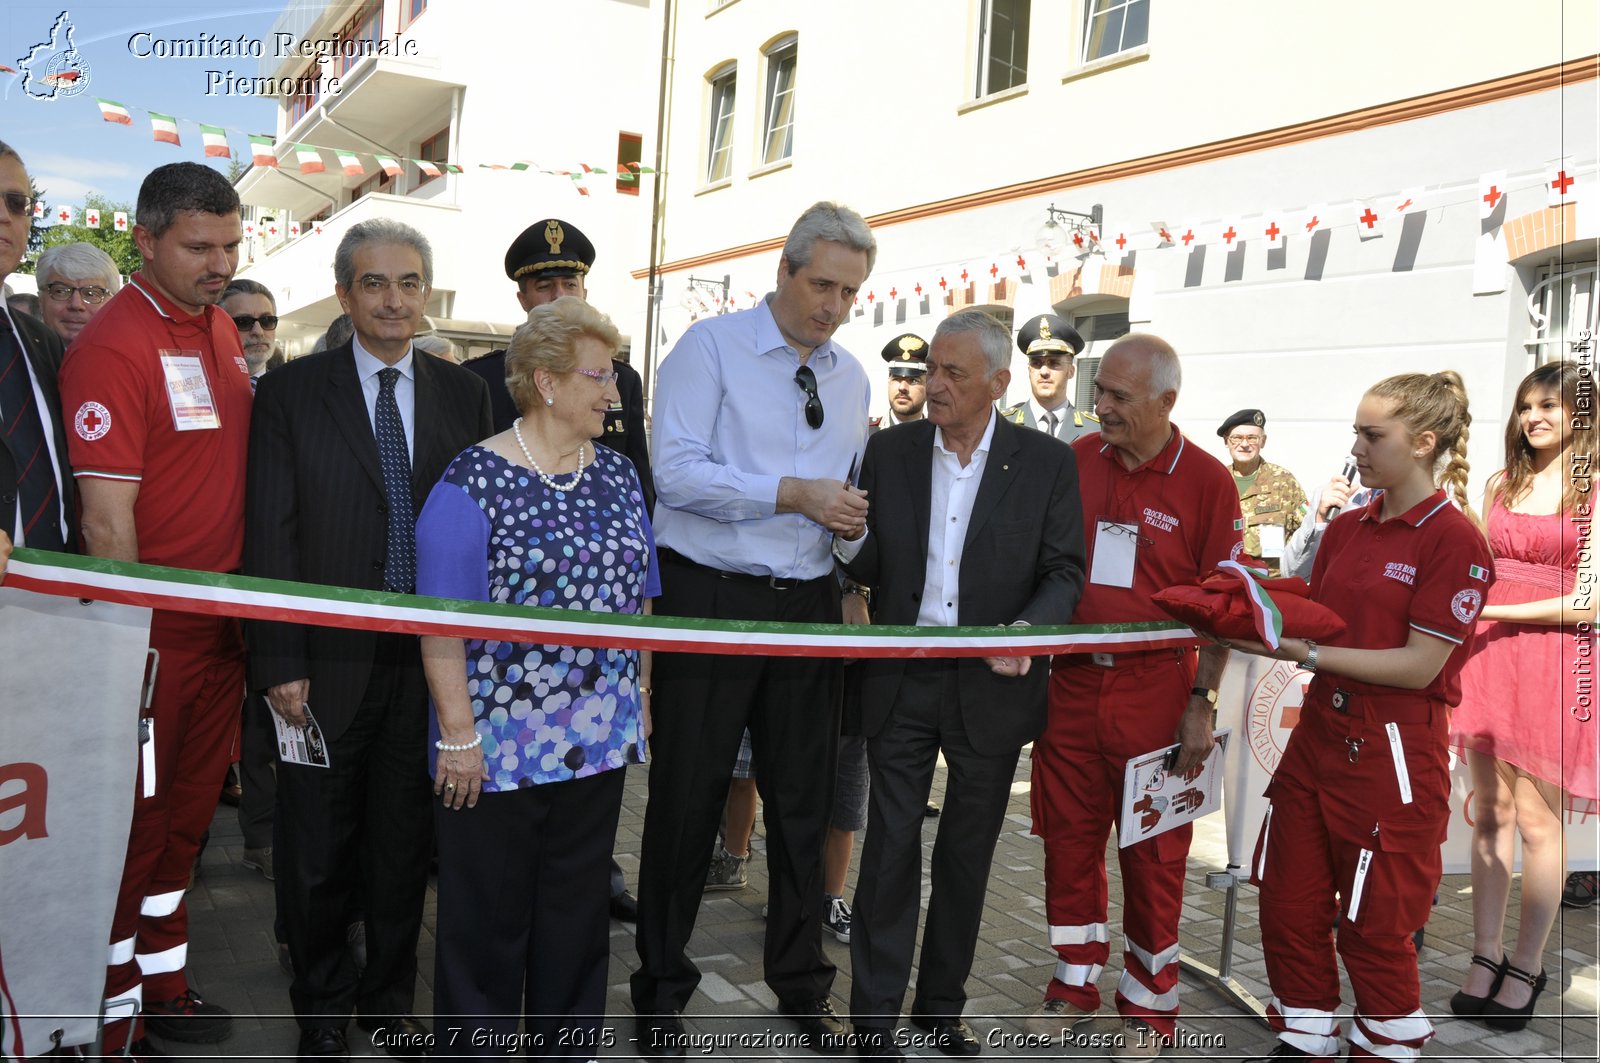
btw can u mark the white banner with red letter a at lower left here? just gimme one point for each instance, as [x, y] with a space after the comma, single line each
[70, 731]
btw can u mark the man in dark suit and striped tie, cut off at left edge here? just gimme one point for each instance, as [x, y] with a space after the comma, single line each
[36, 484]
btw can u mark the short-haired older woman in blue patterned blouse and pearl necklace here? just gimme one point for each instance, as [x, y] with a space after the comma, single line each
[529, 742]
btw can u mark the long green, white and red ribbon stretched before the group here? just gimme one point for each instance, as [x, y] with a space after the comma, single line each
[250, 598]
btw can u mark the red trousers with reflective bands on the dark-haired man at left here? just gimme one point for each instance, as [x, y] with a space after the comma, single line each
[194, 724]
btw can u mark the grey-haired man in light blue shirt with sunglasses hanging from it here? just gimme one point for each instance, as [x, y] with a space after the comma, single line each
[761, 425]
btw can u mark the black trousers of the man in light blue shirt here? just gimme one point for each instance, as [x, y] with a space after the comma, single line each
[702, 708]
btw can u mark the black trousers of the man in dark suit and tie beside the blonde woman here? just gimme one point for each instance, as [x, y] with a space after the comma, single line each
[356, 836]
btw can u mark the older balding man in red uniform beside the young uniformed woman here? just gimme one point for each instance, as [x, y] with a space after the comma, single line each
[1159, 511]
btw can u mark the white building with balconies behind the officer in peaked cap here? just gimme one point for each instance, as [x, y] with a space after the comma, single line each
[511, 94]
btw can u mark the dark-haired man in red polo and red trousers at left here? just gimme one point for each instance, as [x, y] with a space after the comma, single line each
[158, 391]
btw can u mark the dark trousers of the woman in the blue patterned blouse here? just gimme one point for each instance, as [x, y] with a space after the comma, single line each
[524, 920]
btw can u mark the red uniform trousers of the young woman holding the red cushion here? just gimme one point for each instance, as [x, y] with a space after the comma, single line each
[1340, 825]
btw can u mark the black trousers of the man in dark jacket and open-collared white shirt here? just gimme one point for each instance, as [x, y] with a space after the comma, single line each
[926, 720]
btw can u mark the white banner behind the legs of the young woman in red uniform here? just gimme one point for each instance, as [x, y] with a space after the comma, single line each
[1262, 700]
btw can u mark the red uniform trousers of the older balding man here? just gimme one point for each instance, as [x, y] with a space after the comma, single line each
[1098, 720]
